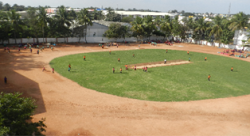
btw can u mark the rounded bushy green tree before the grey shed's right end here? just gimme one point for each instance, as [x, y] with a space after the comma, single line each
[114, 31]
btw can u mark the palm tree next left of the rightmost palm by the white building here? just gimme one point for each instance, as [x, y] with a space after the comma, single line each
[216, 29]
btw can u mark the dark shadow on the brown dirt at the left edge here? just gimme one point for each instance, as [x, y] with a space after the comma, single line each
[20, 83]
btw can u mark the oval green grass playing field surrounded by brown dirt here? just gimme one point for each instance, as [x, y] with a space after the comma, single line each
[171, 83]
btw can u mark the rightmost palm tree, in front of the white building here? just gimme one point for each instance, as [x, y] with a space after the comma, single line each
[239, 22]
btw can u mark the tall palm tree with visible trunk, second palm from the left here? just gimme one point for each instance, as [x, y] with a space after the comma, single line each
[42, 19]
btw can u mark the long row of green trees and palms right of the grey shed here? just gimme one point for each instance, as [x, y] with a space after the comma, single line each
[219, 29]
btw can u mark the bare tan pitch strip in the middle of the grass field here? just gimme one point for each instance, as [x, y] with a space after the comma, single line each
[158, 64]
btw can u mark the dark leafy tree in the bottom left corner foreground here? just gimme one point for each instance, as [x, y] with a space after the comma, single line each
[16, 112]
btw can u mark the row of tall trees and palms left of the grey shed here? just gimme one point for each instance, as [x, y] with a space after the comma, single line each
[38, 24]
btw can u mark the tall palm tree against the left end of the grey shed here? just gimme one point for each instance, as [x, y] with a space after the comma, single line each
[84, 18]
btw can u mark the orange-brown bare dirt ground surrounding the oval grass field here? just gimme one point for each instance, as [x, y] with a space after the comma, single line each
[70, 109]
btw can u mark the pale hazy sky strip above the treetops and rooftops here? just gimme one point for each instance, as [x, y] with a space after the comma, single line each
[197, 6]
